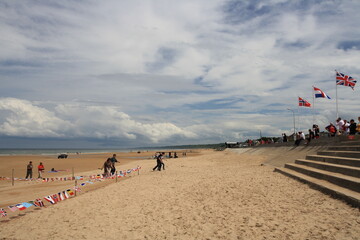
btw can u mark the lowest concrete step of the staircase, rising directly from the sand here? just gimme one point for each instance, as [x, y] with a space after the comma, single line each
[351, 197]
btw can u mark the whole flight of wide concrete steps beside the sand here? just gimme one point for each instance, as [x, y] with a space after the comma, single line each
[335, 171]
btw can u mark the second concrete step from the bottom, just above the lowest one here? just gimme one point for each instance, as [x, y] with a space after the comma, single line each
[341, 180]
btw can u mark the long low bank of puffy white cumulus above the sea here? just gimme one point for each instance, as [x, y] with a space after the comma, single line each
[26, 119]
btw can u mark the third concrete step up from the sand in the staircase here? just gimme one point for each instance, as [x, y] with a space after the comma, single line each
[336, 168]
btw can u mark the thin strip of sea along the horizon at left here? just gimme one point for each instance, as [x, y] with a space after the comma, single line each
[24, 151]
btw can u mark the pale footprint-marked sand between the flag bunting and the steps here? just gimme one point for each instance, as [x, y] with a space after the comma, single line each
[212, 195]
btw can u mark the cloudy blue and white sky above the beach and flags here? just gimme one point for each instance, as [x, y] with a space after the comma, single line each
[131, 73]
